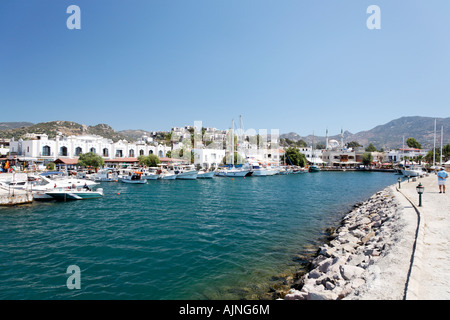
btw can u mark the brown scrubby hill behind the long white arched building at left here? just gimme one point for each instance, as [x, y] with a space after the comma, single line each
[67, 128]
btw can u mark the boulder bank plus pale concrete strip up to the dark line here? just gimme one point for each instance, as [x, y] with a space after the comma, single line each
[368, 256]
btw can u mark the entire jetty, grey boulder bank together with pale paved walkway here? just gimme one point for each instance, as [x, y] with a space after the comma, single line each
[386, 248]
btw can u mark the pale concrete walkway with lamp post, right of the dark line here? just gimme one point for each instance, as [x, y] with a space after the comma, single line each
[430, 273]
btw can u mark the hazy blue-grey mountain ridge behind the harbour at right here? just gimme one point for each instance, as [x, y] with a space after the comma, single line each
[390, 135]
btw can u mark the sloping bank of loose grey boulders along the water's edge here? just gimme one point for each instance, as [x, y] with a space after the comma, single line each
[347, 263]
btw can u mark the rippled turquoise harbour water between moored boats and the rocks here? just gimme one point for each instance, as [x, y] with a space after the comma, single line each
[200, 239]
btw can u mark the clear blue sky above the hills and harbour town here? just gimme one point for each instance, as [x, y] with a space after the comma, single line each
[288, 64]
